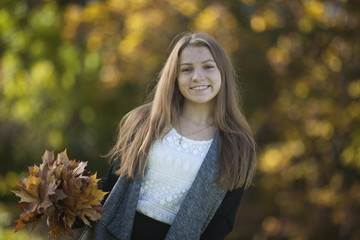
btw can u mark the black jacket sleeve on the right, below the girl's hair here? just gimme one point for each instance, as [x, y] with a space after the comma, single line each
[223, 221]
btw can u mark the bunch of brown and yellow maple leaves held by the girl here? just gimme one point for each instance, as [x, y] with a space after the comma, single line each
[59, 190]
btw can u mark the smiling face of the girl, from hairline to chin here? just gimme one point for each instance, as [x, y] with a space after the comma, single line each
[199, 78]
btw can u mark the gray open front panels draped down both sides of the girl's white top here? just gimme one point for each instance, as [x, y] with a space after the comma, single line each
[196, 211]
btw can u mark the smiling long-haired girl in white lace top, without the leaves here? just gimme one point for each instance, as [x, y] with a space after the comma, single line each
[182, 161]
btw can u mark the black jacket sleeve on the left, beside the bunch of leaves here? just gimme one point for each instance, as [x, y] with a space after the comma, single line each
[106, 184]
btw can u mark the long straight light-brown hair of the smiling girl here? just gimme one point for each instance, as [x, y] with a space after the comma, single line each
[142, 126]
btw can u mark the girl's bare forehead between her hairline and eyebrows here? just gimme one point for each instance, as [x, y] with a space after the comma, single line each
[195, 53]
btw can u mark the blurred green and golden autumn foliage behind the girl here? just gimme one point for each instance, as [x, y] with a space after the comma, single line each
[69, 70]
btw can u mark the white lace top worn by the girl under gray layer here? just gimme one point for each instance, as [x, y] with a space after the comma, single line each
[170, 171]
